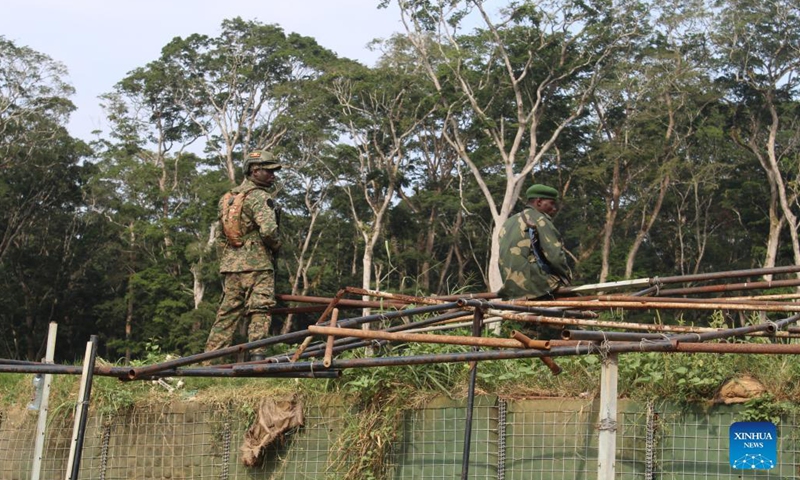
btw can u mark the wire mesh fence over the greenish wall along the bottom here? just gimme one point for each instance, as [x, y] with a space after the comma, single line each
[554, 439]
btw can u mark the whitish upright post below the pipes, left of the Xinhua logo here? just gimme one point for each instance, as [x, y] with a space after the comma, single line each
[607, 423]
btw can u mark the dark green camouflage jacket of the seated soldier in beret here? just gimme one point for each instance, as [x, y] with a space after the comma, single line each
[522, 274]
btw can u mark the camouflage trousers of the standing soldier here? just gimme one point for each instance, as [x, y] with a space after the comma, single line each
[247, 297]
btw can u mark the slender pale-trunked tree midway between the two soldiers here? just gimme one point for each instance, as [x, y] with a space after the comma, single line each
[381, 112]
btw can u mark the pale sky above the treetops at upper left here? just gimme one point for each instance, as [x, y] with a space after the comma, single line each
[100, 41]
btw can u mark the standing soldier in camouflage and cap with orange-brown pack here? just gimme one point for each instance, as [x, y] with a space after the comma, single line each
[248, 247]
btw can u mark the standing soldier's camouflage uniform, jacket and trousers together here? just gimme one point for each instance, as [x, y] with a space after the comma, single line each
[249, 290]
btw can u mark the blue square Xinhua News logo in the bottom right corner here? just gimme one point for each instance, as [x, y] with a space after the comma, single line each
[753, 446]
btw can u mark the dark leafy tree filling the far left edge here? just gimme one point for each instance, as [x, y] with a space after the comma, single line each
[42, 261]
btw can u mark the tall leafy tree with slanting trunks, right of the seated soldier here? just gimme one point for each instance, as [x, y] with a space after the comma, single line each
[646, 113]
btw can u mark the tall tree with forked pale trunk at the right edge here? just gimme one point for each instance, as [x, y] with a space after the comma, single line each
[759, 49]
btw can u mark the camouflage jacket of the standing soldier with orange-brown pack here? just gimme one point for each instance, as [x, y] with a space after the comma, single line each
[260, 233]
